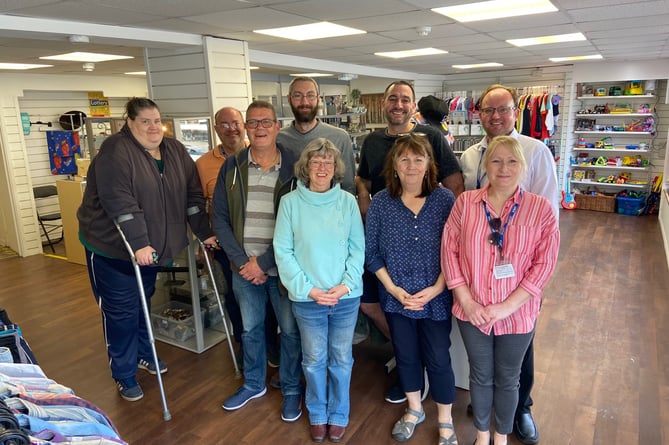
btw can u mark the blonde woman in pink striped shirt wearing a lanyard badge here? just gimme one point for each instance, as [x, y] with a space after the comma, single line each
[499, 250]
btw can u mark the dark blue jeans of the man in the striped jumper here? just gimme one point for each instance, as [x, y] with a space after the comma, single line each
[252, 301]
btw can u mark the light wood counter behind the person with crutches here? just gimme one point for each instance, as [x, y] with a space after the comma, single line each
[70, 194]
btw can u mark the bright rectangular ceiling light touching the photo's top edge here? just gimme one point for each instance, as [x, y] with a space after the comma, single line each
[495, 9]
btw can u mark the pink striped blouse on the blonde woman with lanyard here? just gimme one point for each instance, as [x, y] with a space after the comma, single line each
[531, 244]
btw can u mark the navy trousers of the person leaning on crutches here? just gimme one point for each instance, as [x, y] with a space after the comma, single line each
[116, 291]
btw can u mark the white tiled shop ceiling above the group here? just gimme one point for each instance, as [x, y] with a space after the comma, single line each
[619, 30]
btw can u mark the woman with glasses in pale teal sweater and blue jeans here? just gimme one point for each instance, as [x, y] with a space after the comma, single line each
[319, 248]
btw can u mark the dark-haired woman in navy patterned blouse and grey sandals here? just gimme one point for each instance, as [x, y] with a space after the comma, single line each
[403, 238]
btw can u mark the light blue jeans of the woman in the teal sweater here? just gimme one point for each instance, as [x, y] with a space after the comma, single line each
[327, 349]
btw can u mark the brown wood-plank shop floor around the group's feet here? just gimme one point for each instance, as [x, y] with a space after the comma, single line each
[602, 354]
